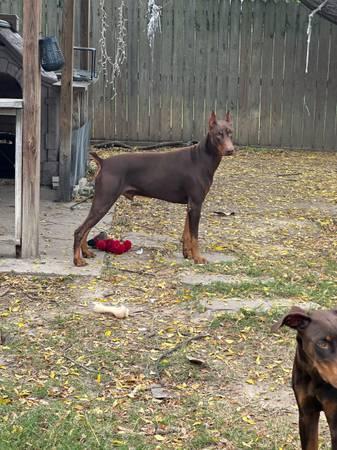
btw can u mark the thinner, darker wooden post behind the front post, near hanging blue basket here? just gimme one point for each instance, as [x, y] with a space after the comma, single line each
[66, 101]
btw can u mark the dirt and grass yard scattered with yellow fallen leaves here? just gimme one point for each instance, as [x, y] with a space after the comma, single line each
[195, 365]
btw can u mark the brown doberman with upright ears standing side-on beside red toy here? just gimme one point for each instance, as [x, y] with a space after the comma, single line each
[178, 176]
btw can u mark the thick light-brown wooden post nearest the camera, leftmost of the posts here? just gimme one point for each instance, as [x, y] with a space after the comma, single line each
[31, 130]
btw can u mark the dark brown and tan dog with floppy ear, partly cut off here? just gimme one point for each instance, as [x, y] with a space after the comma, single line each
[314, 376]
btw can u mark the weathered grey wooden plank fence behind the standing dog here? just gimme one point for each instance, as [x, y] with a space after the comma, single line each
[216, 54]
